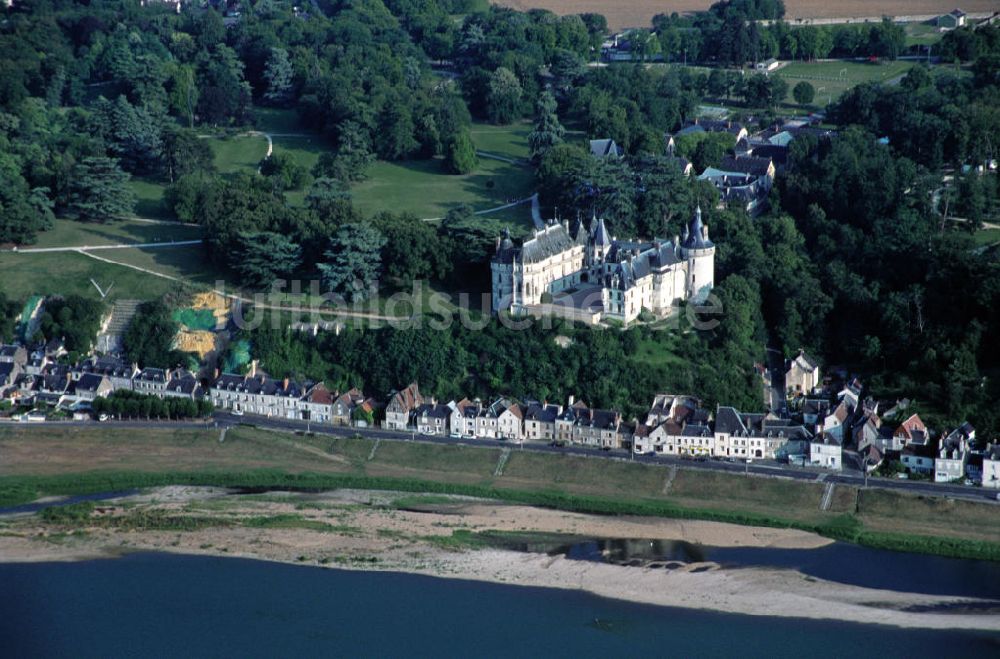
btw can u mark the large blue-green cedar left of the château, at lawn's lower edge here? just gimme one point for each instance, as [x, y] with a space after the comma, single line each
[354, 262]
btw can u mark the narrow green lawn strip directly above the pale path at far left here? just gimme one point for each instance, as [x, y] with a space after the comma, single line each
[69, 233]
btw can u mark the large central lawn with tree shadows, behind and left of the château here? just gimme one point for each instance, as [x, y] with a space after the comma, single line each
[421, 187]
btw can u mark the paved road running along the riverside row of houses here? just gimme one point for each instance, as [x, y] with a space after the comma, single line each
[759, 468]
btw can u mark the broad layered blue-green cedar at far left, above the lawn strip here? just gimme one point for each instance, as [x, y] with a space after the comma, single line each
[98, 191]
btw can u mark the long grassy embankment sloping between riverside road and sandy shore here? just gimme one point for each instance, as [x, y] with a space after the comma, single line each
[49, 462]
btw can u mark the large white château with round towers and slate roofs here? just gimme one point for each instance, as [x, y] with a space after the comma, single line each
[592, 276]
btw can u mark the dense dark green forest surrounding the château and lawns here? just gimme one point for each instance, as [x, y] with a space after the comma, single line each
[866, 258]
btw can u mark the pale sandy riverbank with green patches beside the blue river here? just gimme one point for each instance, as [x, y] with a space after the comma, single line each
[362, 530]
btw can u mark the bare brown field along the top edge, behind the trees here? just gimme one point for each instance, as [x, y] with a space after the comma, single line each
[639, 13]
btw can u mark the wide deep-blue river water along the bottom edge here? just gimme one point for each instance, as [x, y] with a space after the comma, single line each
[162, 605]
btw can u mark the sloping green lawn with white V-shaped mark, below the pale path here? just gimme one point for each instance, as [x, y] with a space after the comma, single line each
[66, 273]
